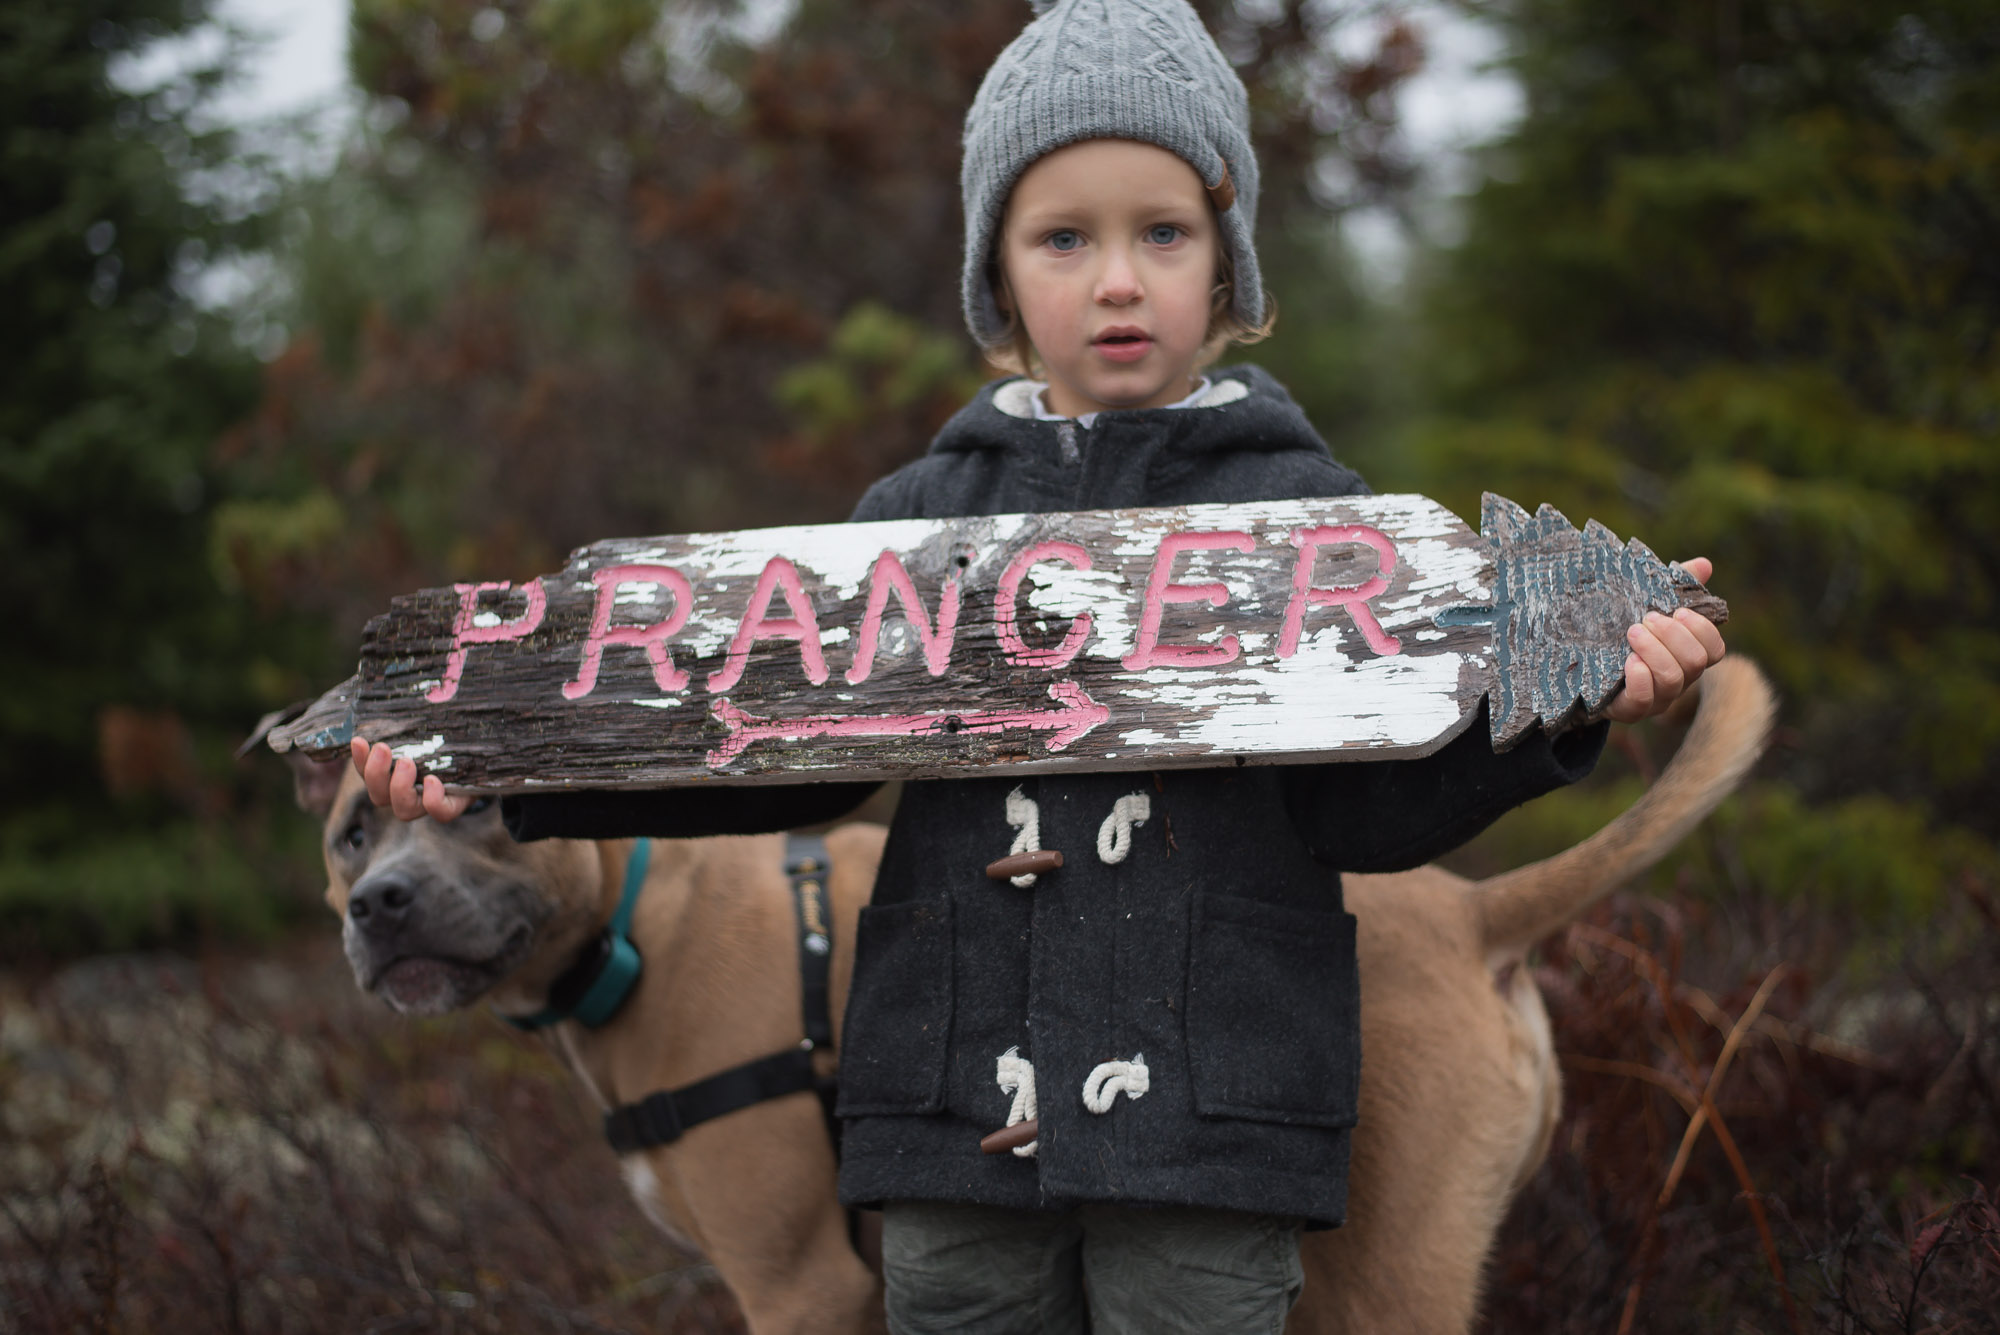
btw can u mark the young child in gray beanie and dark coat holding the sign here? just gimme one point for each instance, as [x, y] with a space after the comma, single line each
[1179, 1004]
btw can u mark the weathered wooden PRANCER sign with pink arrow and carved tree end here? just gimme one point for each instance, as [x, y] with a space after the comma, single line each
[1347, 629]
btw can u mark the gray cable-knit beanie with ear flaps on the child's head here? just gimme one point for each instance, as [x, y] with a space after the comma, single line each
[1109, 71]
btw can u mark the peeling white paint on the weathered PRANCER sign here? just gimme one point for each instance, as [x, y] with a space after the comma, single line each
[1335, 692]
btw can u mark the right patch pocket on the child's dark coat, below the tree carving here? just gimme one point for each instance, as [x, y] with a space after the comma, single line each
[1273, 1014]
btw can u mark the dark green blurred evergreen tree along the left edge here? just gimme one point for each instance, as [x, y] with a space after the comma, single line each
[125, 672]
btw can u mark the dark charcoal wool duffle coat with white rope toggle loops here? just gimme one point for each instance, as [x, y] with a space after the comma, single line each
[1215, 954]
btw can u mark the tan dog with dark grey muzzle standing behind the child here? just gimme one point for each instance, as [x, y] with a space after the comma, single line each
[1459, 1086]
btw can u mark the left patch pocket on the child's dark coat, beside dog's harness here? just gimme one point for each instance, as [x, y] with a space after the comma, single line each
[895, 1042]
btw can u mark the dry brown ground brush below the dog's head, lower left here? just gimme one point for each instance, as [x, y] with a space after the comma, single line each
[253, 1146]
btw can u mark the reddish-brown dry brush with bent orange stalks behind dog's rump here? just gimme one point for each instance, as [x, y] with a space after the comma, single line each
[1749, 1152]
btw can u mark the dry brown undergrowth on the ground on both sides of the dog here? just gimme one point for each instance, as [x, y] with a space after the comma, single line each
[1759, 1138]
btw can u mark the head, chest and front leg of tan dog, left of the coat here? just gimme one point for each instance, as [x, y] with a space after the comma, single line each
[443, 916]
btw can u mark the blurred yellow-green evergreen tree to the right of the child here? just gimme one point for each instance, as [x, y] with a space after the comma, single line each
[1733, 285]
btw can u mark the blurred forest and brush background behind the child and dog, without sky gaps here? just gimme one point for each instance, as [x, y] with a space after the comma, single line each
[587, 269]
